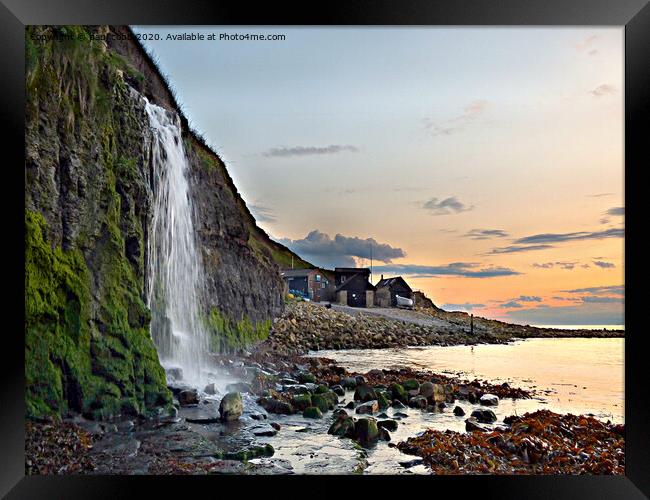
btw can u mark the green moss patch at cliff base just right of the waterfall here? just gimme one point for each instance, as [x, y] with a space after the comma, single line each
[227, 335]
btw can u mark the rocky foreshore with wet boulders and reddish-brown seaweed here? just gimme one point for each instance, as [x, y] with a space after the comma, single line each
[195, 441]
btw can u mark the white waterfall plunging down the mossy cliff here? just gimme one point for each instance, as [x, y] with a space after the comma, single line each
[175, 271]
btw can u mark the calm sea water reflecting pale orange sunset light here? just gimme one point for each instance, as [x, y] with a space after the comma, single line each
[579, 376]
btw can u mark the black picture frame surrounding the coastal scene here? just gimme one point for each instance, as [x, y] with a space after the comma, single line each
[633, 14]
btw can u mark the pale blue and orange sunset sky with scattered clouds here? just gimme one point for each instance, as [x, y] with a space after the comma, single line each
[485, 165]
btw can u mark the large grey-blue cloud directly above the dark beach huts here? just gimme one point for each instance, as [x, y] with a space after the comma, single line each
[321, 249]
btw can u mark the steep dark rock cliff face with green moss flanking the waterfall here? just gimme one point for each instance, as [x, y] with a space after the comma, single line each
[88, 209]
